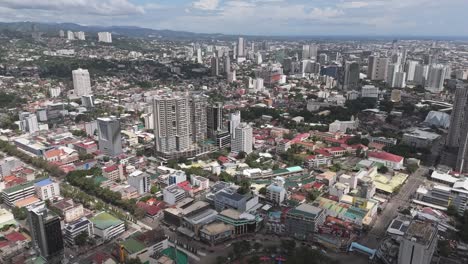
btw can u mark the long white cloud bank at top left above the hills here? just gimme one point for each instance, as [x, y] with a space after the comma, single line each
[101, 7]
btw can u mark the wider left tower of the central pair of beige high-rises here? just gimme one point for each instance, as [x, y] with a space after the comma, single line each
[171, 123]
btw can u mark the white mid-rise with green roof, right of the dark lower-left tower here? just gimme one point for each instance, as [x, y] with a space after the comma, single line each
[107, 226]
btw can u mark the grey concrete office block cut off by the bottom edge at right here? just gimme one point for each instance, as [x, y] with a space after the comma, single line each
[418, 243]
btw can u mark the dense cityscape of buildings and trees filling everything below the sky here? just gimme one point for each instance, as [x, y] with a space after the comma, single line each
[209, 148]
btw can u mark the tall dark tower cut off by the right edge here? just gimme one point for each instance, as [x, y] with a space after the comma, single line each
[457, 118]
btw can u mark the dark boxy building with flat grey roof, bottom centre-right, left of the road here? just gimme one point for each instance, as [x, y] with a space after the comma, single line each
[303, 221]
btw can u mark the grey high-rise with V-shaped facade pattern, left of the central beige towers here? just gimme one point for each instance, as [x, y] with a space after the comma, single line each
[110, 140]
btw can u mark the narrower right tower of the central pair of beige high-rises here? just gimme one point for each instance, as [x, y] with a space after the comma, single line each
[198, 120]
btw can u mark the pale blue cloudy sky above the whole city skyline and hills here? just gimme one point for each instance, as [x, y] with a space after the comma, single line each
[255, 17]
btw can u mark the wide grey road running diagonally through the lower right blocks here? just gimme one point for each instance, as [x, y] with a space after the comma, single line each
[400, 200]
